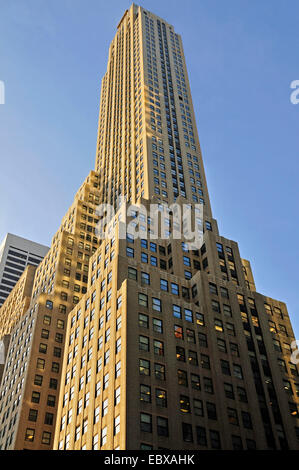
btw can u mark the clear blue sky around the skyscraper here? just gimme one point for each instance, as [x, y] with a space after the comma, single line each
[241, 56]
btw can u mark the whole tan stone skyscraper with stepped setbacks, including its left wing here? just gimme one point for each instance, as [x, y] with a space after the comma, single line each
[142, 342]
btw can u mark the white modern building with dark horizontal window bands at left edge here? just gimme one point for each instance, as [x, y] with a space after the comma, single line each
[15, 254]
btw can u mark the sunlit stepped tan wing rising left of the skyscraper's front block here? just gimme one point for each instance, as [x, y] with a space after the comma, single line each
[31, 377]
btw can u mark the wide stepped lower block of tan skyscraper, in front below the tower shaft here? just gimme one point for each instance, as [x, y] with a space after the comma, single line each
[154, 360]
